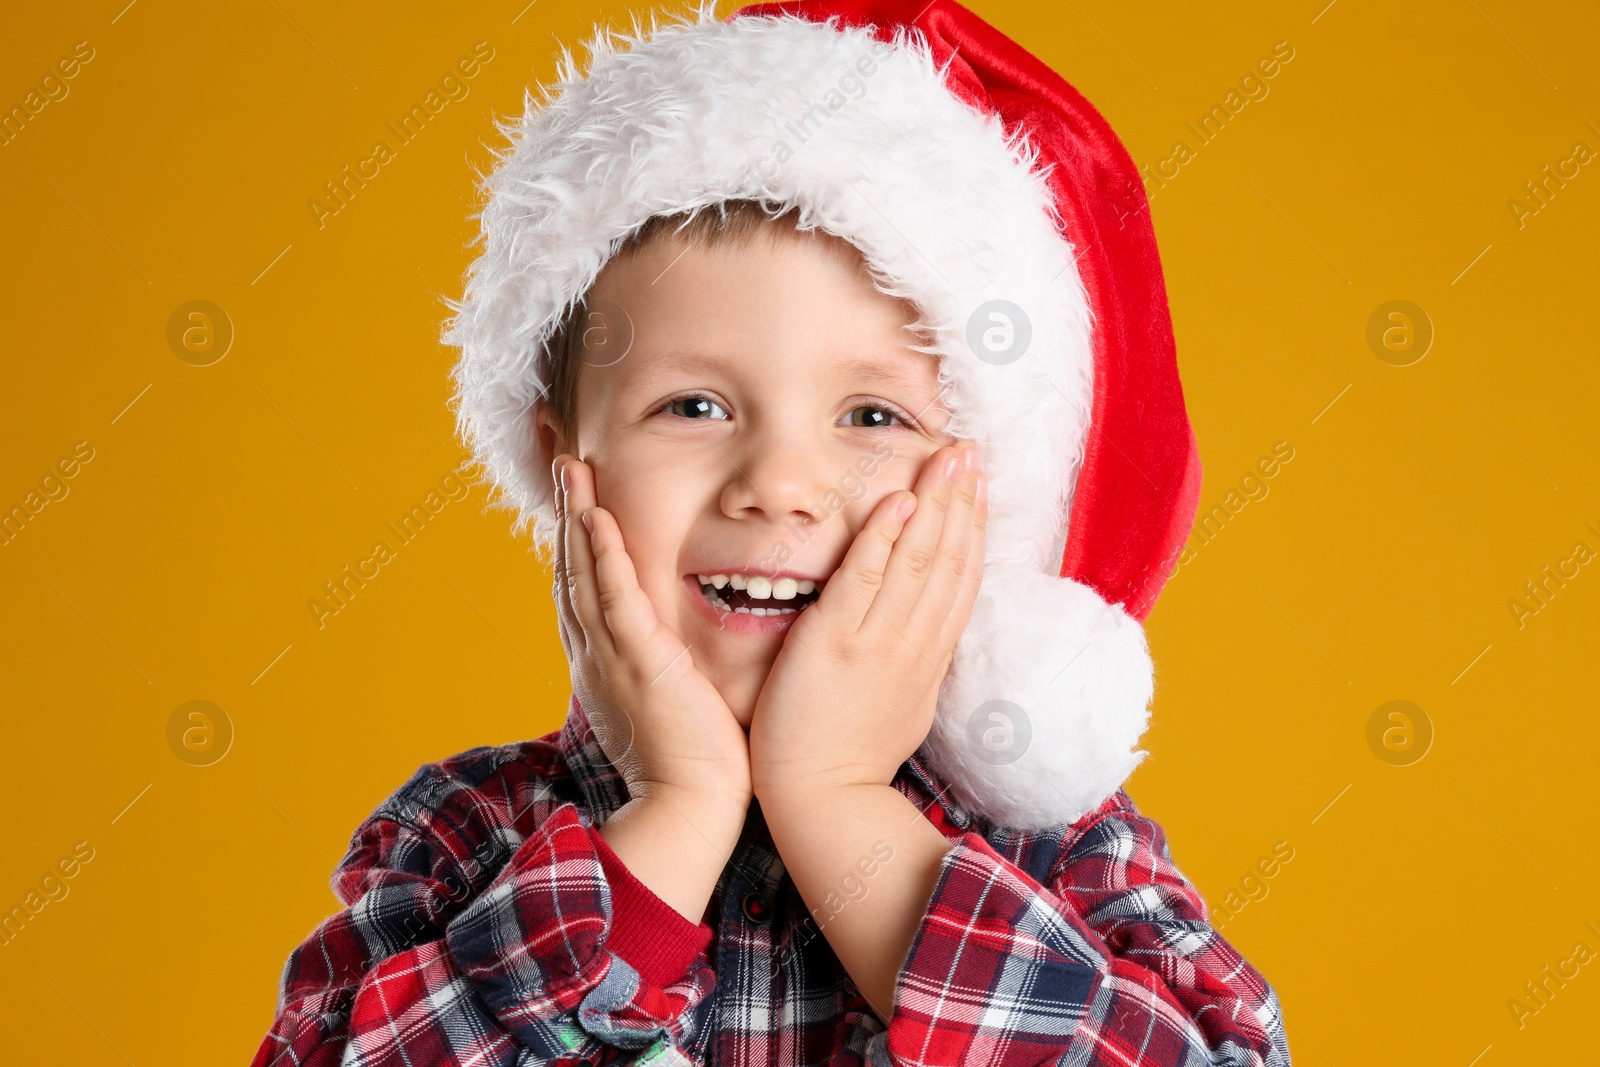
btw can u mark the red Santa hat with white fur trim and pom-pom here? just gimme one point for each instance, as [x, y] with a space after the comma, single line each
[986, 191]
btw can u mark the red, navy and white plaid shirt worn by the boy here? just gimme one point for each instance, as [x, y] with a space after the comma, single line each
[490, 924]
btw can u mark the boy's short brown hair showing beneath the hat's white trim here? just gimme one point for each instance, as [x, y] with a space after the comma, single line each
[719, 225]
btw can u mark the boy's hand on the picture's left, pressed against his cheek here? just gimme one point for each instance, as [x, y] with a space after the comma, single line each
[658, 719]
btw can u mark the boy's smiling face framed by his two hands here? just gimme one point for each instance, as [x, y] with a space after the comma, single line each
[753, 425]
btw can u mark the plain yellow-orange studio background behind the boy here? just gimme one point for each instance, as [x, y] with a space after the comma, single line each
[1380, 567]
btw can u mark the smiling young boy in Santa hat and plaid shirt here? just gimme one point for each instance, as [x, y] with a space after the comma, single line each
[841, 781]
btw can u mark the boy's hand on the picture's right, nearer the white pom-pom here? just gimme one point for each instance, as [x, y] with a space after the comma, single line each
[855, 687]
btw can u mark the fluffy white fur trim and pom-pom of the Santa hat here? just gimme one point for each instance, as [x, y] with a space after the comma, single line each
[1049, 695]
